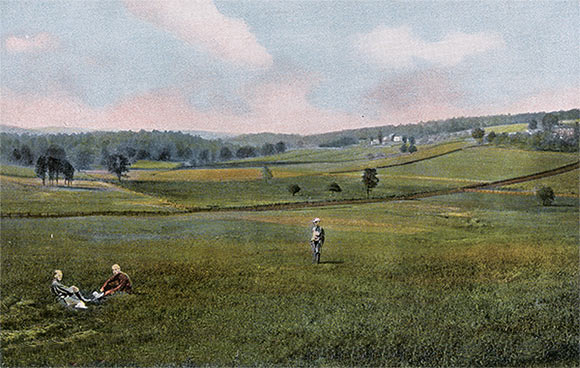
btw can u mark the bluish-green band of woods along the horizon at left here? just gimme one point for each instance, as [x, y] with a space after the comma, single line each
[87, 149]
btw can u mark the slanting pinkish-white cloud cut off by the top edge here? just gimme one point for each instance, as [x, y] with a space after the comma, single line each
[201, 24]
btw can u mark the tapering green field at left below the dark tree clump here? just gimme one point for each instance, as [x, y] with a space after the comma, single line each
[28, 196]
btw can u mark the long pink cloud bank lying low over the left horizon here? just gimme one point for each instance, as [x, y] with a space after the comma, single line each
[280, 105]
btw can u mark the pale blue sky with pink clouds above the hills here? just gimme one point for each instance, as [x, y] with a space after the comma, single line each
[301, 67]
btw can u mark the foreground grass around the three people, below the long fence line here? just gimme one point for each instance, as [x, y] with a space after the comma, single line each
[468, 280]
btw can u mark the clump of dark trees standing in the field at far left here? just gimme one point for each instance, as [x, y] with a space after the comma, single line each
[54, 163]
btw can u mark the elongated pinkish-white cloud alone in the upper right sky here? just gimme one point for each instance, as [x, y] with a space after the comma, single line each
[399, 47]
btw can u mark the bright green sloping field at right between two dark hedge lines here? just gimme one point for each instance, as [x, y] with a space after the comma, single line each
[484, 164]
